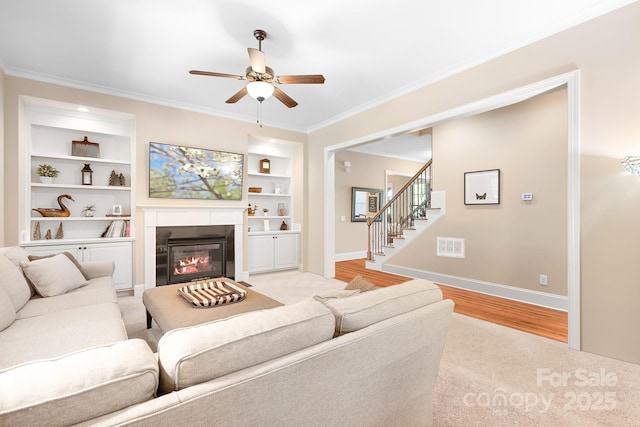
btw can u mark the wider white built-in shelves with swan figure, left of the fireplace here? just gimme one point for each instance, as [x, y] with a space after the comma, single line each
[48, 129]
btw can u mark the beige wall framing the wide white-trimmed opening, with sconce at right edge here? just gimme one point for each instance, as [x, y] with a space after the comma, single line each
[605, 52]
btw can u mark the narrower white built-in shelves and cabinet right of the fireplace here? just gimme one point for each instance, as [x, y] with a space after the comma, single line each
[269, 247]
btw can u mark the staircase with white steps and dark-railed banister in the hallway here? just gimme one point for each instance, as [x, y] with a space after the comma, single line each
[405, 216]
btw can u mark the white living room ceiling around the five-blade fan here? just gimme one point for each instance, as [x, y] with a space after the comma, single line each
[368, 51]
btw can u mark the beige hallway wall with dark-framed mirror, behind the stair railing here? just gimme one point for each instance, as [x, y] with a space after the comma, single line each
[367, 171]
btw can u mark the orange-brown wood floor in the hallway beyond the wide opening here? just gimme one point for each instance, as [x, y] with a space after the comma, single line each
[525, 317]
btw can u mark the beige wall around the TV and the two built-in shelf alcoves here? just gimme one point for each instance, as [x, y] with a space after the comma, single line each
[153, 123]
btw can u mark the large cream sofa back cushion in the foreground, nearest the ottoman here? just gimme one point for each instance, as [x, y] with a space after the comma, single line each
[196, 354]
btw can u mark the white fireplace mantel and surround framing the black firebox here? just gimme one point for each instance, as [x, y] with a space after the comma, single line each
[163, 216]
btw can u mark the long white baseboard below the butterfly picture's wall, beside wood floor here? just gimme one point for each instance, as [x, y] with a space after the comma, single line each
[542, 299]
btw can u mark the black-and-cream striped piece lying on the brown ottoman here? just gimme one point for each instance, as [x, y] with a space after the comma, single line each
[212, 292]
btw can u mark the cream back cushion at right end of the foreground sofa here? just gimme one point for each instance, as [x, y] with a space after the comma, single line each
[367, 308]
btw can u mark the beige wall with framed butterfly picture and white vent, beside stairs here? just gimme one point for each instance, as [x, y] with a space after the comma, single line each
[512, 243]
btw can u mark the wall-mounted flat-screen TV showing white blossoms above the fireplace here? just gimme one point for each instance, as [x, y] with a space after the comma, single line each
[179, 172]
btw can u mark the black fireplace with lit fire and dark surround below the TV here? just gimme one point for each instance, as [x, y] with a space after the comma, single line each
[187, 253]
